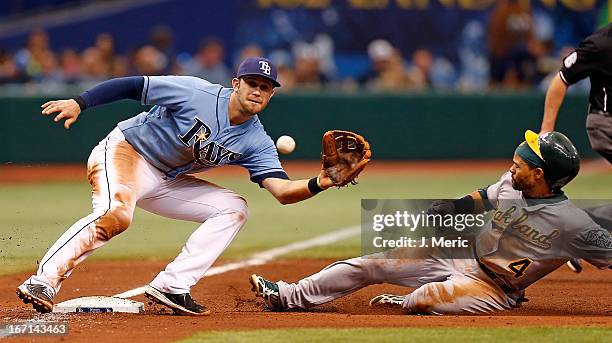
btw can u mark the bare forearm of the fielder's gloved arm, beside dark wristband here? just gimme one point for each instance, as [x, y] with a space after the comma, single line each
[292, 191]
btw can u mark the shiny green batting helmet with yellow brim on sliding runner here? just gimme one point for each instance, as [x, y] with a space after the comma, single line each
[559, 155]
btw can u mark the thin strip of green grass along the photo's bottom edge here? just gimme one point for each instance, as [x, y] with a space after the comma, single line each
[438, 335]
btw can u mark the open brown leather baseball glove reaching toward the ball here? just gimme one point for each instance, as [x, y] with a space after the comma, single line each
[345, 155]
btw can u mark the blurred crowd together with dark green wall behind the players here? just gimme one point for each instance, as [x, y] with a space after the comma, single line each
[465, 77]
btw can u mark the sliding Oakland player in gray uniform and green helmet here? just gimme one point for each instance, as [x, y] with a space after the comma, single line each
[534, 230]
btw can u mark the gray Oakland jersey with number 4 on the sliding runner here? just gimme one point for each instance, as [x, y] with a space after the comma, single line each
[529, 238]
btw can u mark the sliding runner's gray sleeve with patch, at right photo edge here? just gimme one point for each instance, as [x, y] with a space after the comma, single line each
[593, 244]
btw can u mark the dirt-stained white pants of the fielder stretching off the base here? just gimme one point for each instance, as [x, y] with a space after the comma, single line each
[121, 180]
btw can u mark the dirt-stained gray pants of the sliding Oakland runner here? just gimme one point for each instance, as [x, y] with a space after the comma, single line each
[443, 284]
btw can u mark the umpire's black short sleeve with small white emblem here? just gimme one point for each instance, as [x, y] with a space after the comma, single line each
[579, 63]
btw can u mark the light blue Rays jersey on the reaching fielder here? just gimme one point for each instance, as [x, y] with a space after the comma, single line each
[188, 130]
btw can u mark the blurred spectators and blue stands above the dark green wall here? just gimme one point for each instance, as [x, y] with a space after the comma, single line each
[469, 46]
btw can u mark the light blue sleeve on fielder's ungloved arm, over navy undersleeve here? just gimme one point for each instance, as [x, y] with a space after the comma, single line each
[168, 91]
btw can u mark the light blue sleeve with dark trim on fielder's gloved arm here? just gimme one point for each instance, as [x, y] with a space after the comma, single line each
[264, 163]
